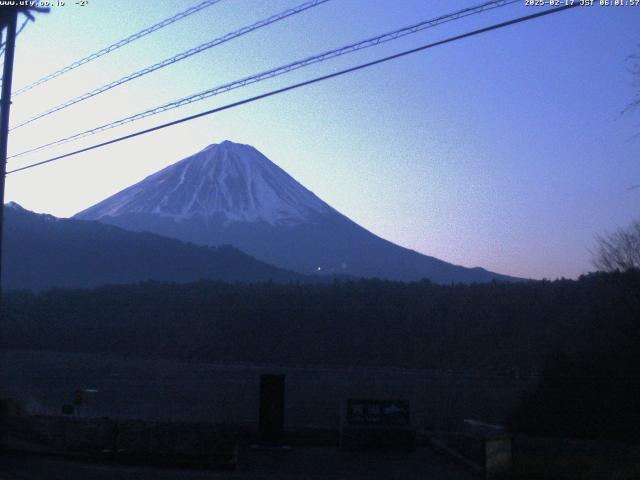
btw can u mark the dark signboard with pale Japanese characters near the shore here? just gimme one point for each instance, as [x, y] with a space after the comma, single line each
[382, 413]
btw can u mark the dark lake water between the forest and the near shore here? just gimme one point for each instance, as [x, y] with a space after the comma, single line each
[157, 389]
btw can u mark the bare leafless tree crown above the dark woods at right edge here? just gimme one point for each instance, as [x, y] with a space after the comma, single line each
[618, 251]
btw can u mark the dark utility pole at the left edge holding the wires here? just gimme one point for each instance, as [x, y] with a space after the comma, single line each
[5, 105]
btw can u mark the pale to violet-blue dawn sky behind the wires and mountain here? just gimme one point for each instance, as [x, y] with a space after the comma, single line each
[506, 150]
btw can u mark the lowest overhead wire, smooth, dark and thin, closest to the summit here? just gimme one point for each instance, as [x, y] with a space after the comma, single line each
[303, 84]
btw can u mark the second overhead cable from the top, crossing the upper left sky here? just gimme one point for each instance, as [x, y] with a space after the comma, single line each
[176, 58]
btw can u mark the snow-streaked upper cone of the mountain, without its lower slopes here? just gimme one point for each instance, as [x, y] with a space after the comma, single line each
[228, 181]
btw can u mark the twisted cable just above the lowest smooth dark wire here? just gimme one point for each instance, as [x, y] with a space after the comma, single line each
[370, 42]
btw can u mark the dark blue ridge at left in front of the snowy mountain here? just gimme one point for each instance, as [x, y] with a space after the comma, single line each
[42, 251]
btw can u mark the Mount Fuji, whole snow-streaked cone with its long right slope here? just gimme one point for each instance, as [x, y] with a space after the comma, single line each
[230, 193]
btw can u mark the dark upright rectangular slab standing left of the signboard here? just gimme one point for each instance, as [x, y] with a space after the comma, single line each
[271, 409]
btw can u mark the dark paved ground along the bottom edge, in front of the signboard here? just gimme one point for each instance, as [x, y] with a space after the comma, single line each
[297, 463]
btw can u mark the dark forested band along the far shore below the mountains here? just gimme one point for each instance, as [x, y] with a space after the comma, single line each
[495, 326]
